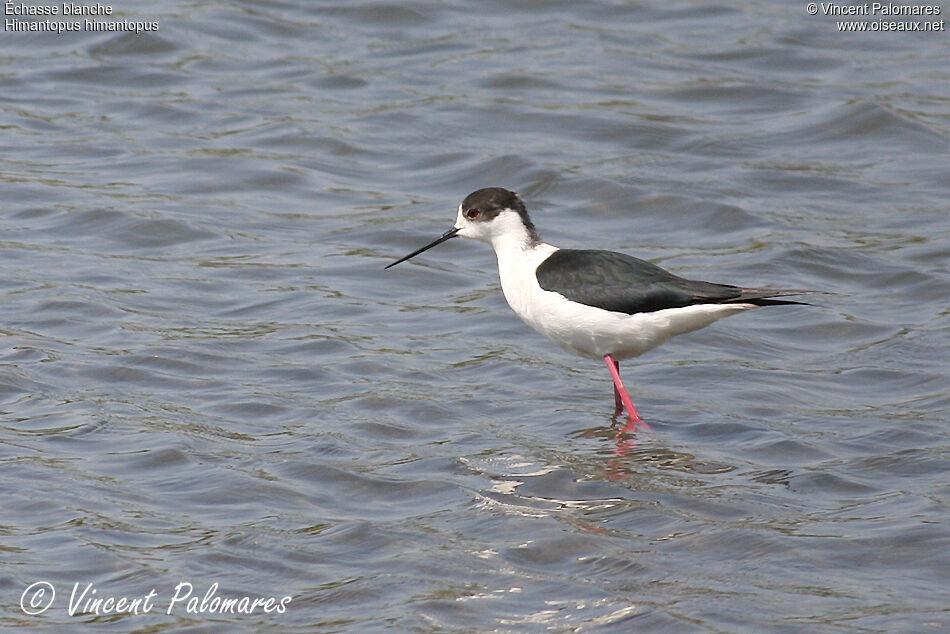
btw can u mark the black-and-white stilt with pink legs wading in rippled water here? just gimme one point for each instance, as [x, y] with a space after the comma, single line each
[596, 304]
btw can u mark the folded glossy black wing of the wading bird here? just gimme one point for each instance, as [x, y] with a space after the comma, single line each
[624, 284]
